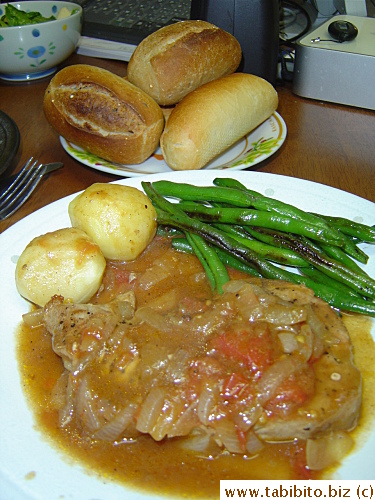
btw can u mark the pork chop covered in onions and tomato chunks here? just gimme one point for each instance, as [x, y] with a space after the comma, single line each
[265, 358]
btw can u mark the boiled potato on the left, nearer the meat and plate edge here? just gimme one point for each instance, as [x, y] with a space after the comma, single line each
[64, 262]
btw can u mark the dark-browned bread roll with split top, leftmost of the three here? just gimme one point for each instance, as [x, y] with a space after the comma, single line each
[103, 113]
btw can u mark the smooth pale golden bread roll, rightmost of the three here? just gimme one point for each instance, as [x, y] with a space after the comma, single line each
[213, 117]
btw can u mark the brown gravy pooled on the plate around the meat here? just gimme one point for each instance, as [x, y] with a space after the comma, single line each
[168, 467]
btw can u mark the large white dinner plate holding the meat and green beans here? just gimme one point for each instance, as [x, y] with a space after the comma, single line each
[23, 448]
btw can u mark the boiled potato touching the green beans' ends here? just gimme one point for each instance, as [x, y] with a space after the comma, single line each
[120, 219]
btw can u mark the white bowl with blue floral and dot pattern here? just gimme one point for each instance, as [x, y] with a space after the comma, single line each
[33, 51]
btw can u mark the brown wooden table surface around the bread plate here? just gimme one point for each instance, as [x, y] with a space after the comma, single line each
[326, 143]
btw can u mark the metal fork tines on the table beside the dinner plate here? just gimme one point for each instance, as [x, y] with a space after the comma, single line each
[21, 188]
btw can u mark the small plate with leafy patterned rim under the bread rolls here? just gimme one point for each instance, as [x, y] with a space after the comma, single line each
[255, 147]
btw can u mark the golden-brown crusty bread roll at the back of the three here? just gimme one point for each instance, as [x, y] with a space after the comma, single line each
[178, 58]
